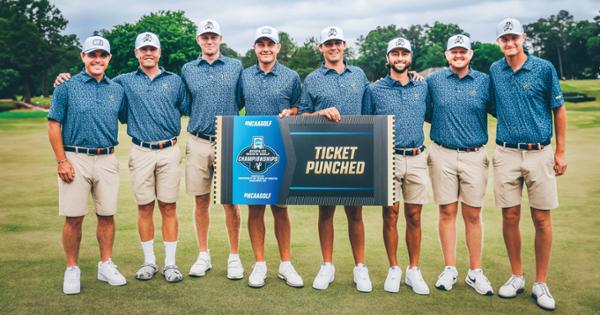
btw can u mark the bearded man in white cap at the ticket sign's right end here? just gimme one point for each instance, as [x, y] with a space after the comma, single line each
[400, 95]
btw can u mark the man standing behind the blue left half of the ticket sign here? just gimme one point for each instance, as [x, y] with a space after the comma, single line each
[270, 88]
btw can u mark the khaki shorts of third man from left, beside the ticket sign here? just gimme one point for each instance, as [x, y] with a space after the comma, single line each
[199, 169]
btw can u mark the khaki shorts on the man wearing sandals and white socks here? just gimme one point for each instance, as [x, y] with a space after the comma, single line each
[155, 174]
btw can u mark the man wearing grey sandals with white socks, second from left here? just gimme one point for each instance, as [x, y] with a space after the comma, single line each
[156, 99]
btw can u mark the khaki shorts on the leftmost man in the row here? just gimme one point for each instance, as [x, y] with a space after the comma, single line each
[96, 174]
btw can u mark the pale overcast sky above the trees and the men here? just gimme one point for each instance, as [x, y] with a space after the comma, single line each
[302, 19]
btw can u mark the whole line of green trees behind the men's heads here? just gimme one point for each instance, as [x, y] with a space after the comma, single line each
[33, 49]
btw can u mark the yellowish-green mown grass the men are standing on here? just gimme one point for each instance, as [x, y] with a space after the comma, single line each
[32, 259]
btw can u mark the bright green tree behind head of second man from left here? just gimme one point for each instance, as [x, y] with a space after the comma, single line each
[177, 39]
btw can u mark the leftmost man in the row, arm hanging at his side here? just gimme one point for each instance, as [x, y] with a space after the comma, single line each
[83, 130]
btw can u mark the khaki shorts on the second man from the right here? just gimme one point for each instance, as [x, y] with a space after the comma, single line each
[458, 175]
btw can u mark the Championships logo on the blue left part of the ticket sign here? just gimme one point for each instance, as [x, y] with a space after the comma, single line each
[258, 157]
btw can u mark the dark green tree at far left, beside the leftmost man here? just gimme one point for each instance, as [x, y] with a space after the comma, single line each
[31, 41]
